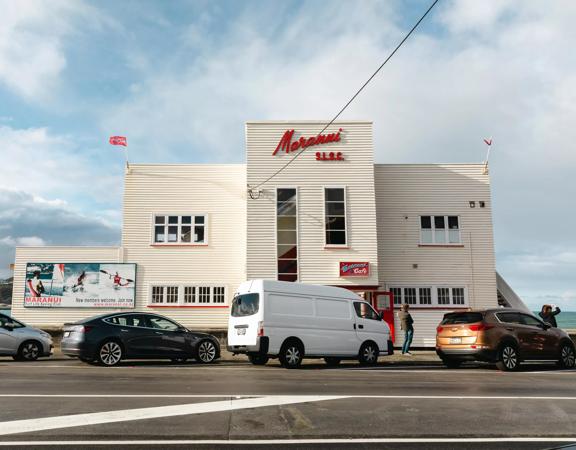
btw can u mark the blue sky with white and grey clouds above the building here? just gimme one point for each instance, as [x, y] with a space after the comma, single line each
[180, 78]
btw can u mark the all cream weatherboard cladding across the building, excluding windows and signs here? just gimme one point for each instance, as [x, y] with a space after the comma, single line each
[383, 202]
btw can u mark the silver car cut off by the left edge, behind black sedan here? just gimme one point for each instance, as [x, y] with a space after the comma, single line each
[22, 342]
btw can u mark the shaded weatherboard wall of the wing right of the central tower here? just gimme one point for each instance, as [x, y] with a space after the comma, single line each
[403, 194]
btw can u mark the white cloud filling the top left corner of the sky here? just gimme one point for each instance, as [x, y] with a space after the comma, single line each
[33, 36]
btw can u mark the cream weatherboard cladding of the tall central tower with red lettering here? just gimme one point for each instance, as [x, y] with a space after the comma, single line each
[356, 172]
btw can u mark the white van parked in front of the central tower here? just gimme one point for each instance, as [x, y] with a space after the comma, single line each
[270, 319]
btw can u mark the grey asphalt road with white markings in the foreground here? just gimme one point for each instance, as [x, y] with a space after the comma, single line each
[56, 402]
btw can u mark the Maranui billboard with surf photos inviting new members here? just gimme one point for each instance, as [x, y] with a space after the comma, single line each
[80, 285]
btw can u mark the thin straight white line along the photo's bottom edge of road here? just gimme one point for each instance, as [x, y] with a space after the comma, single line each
[292, 441]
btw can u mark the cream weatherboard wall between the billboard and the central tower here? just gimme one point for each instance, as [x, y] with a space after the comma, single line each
[217, 191]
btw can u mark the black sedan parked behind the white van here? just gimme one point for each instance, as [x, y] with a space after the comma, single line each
[110, 338]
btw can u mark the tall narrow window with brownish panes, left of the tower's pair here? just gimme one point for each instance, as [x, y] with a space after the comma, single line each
[287, 234]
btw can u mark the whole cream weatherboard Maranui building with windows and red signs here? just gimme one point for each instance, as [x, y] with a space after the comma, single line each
[195, 232]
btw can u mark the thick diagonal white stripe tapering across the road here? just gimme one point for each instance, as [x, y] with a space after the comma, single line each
[77, 420]
